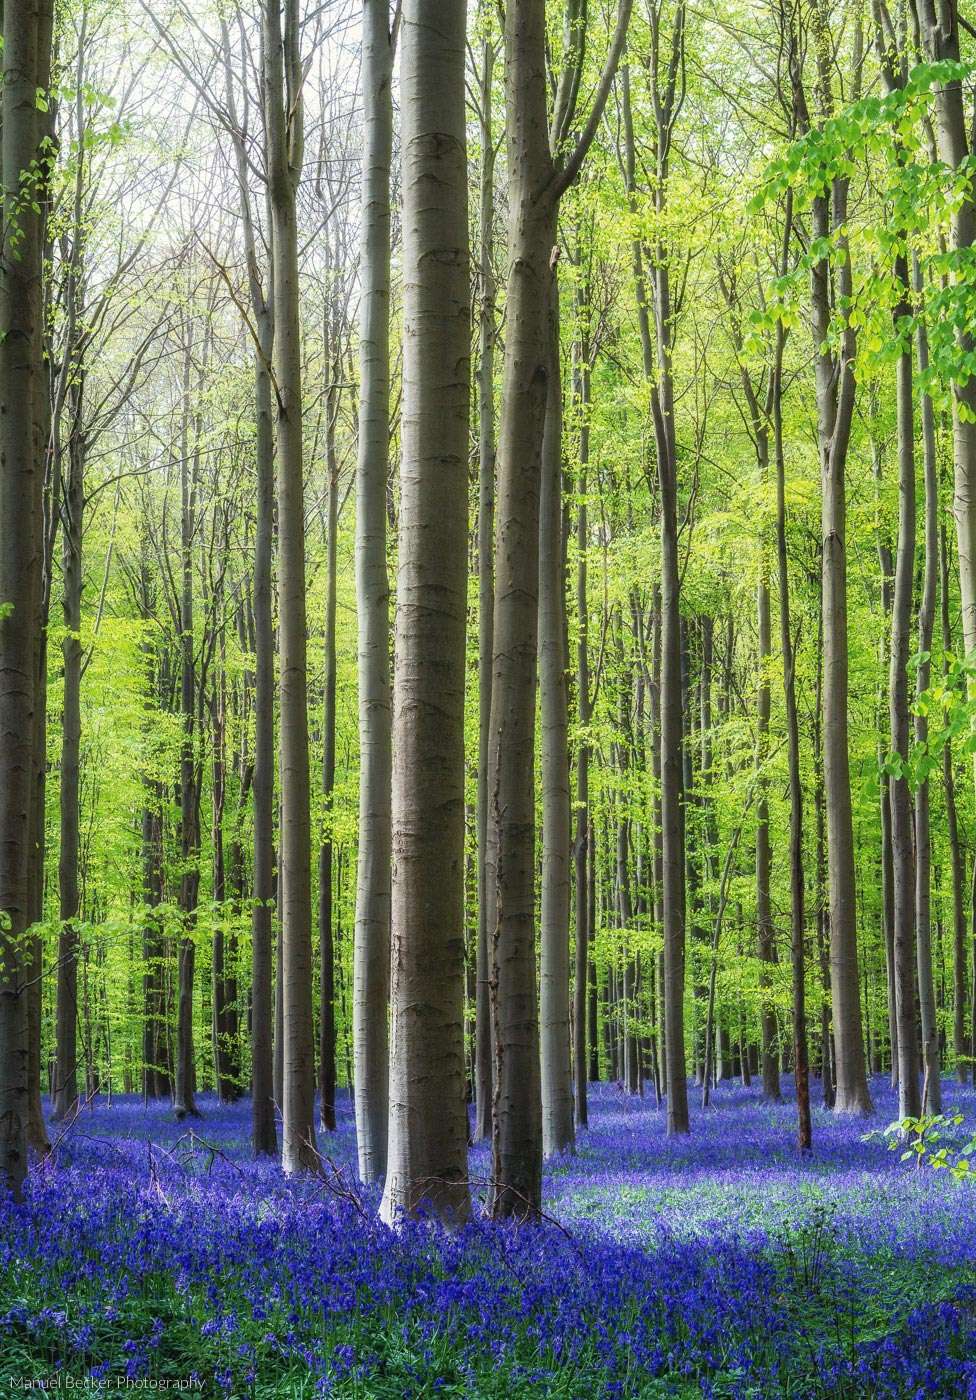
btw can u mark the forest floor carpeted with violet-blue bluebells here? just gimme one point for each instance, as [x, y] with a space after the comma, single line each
[159, 1256]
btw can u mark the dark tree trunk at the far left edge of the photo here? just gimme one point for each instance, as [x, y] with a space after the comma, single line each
[26, 72]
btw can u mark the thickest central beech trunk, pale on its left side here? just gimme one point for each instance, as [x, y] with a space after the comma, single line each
[428, 1116]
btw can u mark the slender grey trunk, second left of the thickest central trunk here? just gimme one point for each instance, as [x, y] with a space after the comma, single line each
[284, 82]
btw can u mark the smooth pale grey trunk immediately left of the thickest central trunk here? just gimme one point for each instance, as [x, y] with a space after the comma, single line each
[373, 884]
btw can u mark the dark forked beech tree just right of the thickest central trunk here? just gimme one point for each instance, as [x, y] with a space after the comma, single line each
[544, 160]
